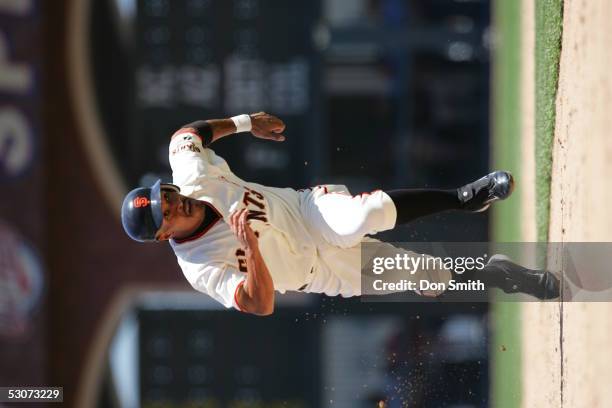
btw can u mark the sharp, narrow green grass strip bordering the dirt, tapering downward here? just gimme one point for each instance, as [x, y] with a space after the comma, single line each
[549, 26]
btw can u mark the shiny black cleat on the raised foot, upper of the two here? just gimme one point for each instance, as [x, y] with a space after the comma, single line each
[479, 195]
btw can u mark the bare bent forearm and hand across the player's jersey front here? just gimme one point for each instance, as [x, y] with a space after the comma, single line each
[256, 295]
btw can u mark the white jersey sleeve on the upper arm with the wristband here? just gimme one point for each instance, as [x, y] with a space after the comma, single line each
[190, 159]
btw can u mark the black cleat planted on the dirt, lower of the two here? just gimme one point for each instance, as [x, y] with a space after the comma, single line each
[513, 278]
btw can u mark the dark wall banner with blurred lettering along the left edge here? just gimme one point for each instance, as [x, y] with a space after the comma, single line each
[22, 276]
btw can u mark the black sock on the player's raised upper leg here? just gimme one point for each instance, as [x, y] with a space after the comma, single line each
[415, 203]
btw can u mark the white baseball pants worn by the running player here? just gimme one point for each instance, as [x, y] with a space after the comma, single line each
[339, 222]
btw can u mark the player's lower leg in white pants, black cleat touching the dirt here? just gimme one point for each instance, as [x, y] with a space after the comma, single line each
[342, 268]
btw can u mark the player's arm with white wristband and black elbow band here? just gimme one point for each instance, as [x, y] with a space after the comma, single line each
[262, 125]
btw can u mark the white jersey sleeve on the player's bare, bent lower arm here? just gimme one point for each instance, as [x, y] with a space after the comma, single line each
[221, 282]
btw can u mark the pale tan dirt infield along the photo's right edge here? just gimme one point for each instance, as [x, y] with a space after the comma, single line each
[566, 346]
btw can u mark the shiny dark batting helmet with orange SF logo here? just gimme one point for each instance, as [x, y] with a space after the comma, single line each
[141, 212]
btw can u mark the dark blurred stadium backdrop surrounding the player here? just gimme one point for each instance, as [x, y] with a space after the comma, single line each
[375, 94]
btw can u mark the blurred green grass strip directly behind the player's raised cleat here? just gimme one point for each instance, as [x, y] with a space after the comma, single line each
[506, 340]
